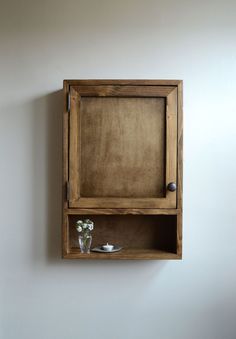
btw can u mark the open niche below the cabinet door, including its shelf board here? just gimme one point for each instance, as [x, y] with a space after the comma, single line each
[140, 236]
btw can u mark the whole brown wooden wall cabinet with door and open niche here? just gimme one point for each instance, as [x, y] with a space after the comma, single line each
[123, 166]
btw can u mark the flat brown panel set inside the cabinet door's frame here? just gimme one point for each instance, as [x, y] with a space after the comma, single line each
[122, 147]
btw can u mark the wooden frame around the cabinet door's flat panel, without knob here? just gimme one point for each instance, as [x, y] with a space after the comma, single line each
[76, 93]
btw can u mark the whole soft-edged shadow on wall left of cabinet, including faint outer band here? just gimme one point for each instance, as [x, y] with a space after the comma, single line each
[47, 183]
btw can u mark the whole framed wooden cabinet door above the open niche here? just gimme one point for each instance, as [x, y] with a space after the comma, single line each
[122, 146]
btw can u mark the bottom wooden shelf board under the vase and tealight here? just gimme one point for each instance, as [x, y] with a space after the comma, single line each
[125, 253]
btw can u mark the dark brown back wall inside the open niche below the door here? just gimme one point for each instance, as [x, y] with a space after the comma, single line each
[134, 231]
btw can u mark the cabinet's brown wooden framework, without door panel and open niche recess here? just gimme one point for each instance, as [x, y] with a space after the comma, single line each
[75, 88]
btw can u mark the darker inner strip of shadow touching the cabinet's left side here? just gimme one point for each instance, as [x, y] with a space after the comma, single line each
[54, 177]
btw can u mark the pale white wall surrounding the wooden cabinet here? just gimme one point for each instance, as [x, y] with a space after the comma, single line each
[44, 42]
